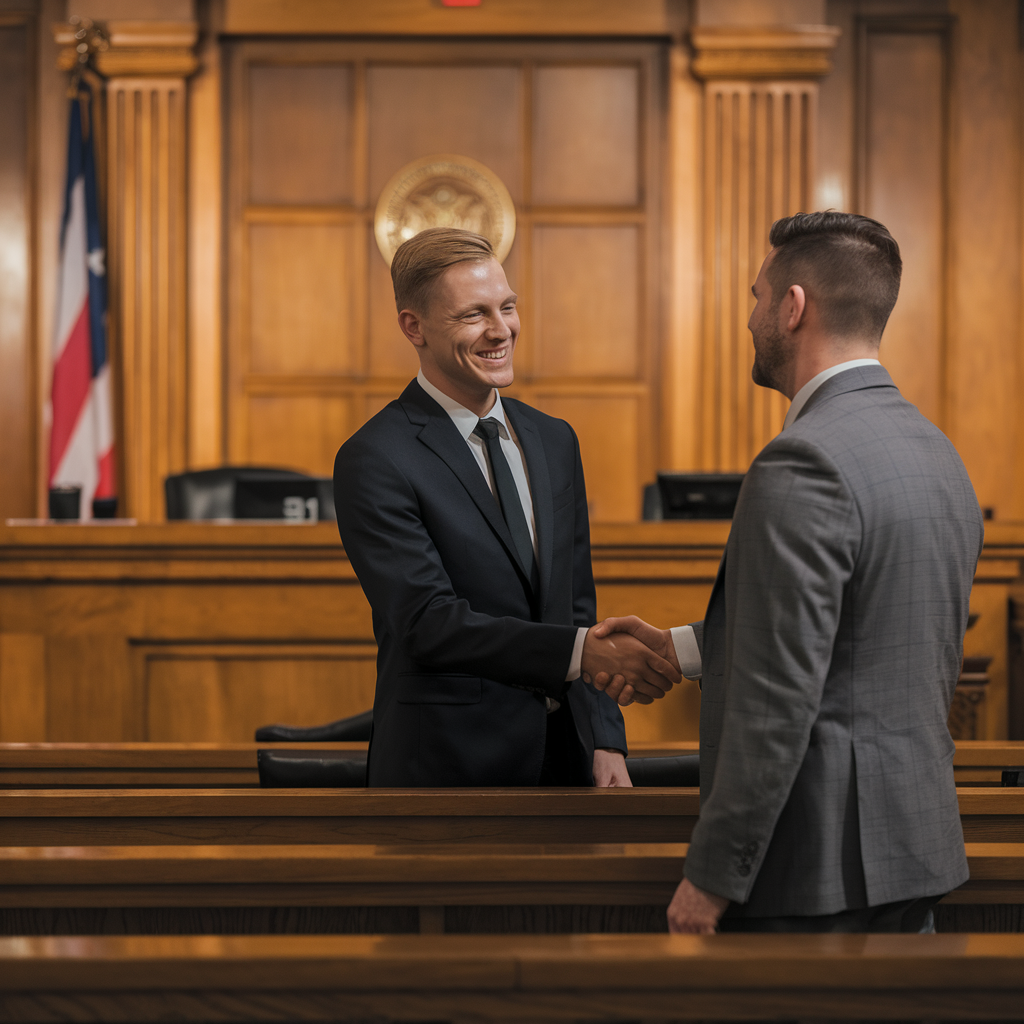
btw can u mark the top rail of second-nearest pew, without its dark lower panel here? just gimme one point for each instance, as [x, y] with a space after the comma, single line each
[361, 876]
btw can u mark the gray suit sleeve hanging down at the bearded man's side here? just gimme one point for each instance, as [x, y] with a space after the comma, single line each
[793, 550]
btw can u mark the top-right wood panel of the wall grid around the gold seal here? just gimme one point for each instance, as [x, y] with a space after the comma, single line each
[587, 137]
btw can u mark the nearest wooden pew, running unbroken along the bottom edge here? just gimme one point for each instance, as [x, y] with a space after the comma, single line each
[589, 978]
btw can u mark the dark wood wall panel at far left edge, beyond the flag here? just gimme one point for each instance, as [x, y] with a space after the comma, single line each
[18, 170]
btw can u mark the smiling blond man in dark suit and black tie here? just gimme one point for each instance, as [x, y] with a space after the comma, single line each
[465, 519]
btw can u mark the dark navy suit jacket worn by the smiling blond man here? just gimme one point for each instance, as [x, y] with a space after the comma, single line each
[467, 652]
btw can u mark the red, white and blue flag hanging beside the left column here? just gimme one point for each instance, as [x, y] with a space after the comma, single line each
[82, 425]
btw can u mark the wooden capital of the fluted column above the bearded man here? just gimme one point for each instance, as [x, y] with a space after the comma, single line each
[775, 53]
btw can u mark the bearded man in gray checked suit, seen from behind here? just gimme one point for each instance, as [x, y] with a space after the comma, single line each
[834, 637]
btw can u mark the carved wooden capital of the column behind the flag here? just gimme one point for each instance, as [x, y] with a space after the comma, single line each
[137, 50]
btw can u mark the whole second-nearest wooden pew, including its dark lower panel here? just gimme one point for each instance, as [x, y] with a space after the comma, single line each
[460, 888]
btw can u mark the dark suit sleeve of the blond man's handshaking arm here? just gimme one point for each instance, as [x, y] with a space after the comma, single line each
[405, 581]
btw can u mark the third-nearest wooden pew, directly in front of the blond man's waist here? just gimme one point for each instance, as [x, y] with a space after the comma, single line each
[137, 818]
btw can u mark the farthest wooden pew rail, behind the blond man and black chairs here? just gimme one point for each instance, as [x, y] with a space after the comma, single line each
[223, 765]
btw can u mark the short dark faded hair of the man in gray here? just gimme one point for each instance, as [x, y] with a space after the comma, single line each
[848, 265]
